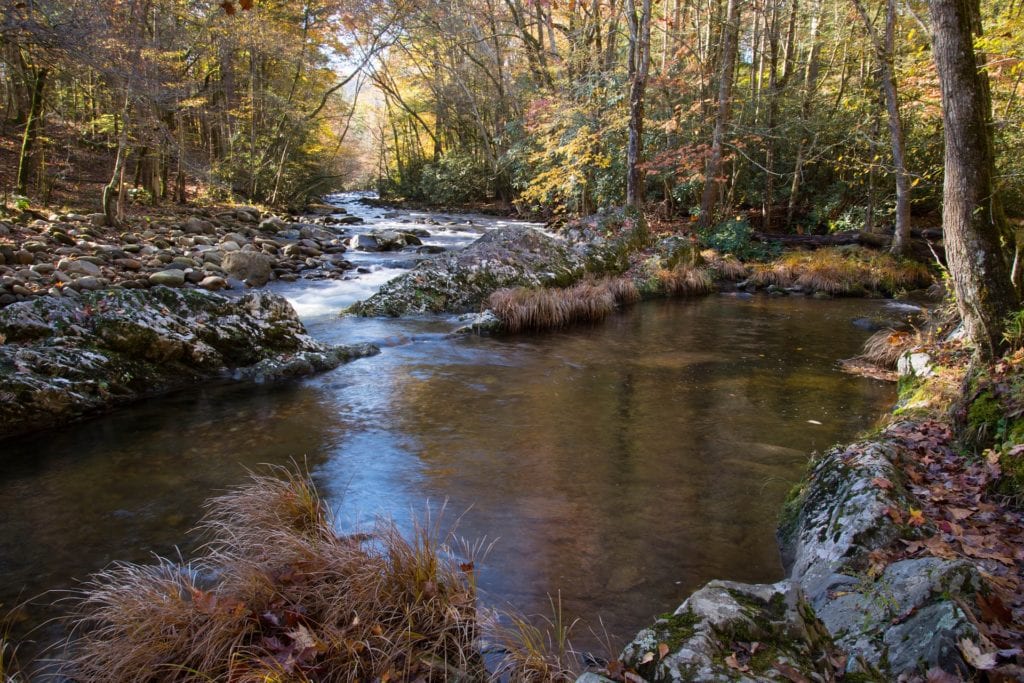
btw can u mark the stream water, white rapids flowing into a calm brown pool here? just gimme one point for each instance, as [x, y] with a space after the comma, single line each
[623, 464]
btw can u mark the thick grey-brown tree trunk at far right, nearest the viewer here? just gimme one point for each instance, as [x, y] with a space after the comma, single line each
[972, 219]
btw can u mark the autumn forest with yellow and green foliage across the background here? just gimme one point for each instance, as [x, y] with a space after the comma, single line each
[795, 115]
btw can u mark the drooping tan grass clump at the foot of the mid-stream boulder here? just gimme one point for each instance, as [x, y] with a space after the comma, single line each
[589, 302]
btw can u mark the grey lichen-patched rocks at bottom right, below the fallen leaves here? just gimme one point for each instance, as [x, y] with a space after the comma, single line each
[837, 608]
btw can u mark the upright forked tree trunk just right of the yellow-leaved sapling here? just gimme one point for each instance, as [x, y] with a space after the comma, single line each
[639, 66]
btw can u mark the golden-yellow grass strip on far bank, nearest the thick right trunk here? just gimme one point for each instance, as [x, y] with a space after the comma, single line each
[843, 271]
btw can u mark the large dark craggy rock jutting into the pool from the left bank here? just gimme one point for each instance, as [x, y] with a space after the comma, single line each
[64, 358]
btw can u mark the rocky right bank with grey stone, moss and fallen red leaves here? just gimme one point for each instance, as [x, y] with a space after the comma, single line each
[905, 552]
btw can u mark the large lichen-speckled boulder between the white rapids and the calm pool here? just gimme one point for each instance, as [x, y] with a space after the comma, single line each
[461, 282]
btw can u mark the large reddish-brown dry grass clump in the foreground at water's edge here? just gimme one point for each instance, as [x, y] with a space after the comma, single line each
[278, 596]
